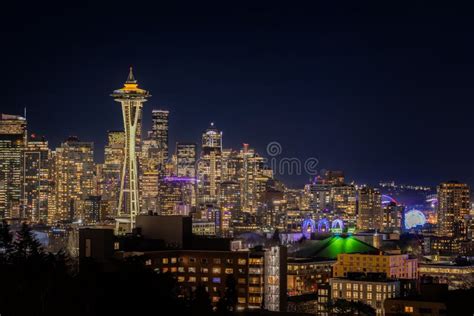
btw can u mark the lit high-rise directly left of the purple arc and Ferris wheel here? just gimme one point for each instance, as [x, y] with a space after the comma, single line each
[370, 209]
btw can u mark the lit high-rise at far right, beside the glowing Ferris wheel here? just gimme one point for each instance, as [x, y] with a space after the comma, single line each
[453, 205]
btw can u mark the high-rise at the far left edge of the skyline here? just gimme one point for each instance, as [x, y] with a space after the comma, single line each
[12, 142]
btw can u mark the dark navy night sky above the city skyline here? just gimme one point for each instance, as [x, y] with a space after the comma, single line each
[381, 91]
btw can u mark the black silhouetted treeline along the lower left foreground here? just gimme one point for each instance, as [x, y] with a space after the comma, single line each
[35, 282]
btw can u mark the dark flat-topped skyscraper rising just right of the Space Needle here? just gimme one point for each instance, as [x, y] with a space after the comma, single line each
[159, 133]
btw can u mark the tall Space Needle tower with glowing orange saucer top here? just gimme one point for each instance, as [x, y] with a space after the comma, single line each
[131, 98]
